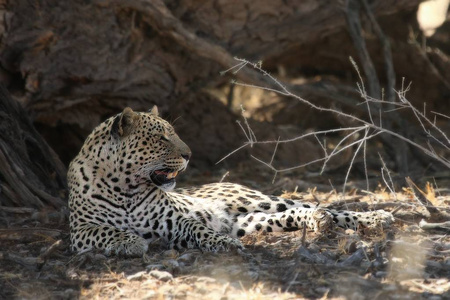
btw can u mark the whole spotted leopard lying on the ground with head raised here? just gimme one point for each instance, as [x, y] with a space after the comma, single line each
[122, 196]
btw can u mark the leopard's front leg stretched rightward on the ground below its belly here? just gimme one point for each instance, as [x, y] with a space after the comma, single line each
[191, 233]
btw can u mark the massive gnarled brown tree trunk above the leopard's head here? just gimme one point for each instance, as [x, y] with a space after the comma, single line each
[86, 59]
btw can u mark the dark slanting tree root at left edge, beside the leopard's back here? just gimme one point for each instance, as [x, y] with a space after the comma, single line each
[31, 174]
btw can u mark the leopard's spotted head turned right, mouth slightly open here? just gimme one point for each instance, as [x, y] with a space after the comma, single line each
[146, 149]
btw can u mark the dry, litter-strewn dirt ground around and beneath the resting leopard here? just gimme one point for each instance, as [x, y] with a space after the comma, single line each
[406, 261]
